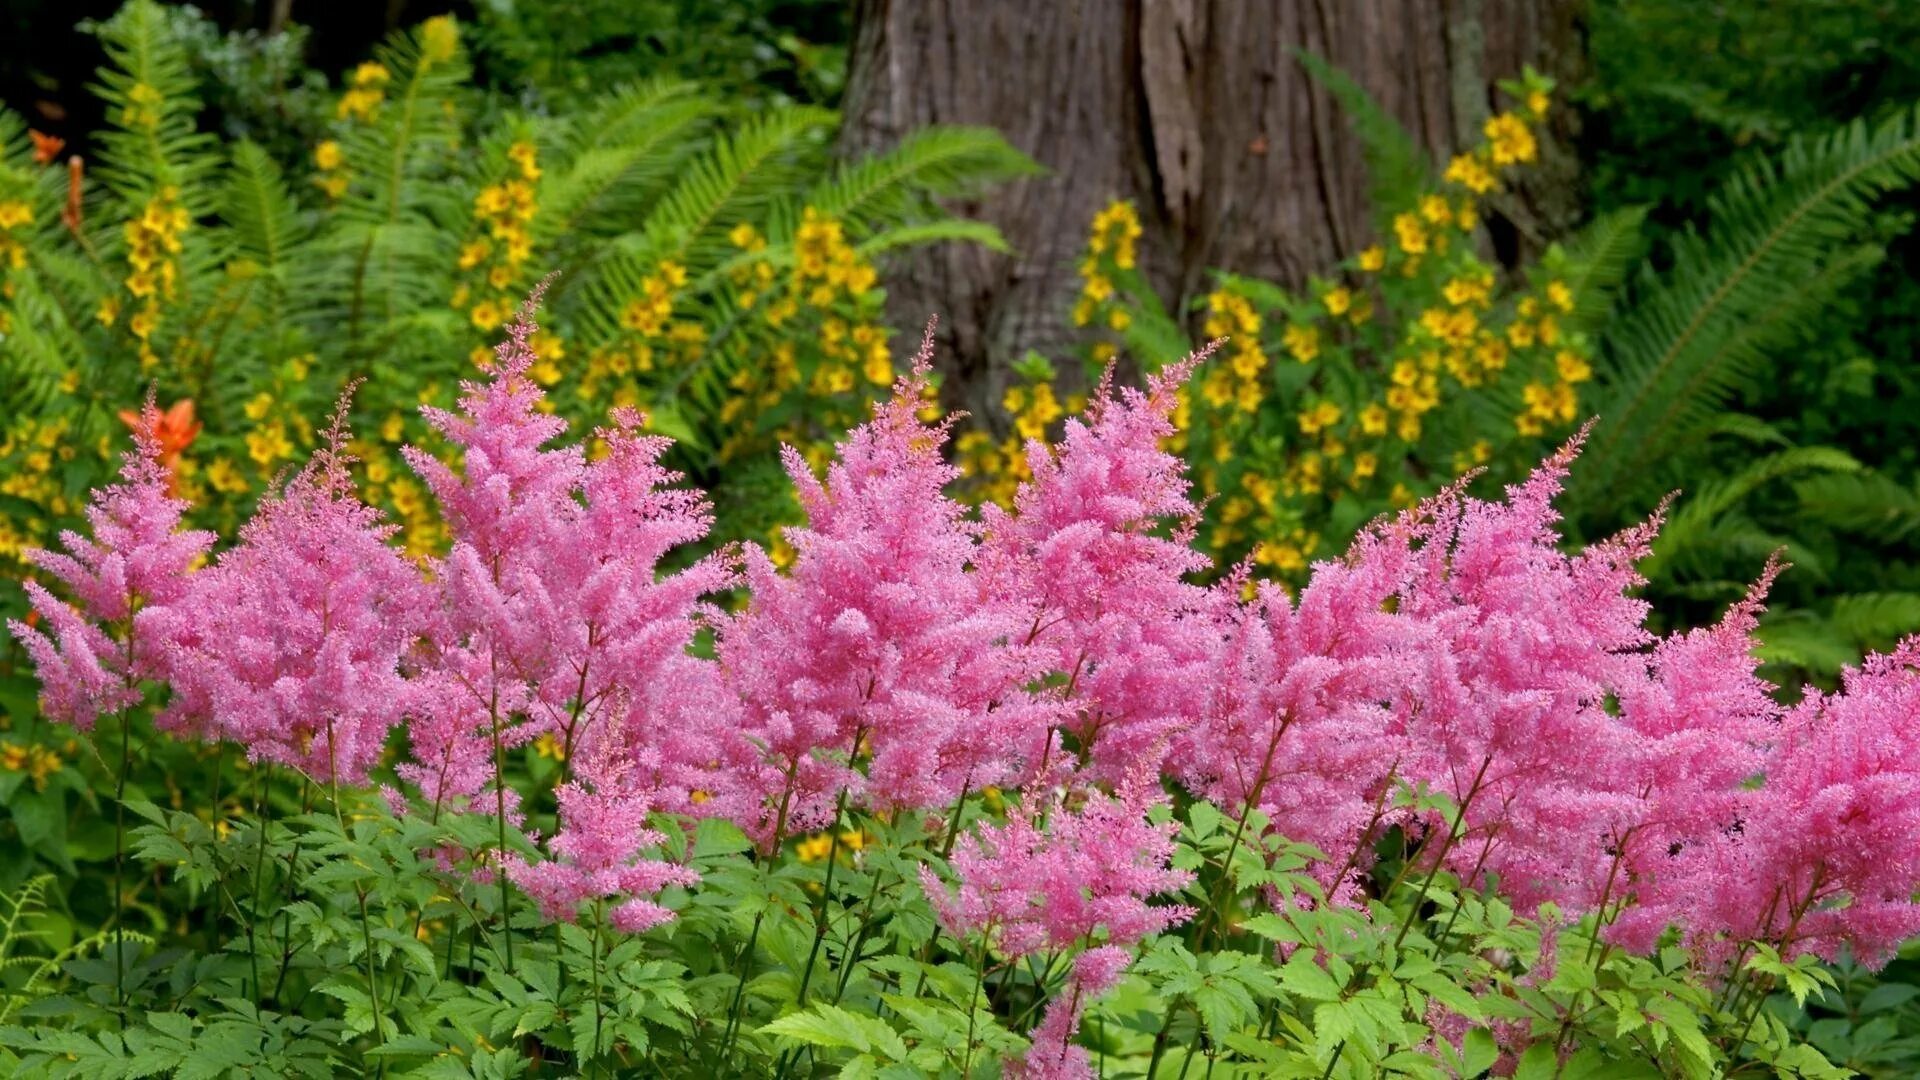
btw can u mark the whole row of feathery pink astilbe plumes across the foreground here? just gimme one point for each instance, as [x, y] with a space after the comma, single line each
[1456, 681]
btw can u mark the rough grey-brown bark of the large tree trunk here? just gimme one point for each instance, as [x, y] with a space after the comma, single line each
[1199, 112]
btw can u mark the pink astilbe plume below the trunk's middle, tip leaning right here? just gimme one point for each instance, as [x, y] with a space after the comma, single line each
[1113, 608]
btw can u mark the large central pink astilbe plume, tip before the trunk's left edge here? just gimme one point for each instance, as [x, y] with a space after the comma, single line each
[878, 643]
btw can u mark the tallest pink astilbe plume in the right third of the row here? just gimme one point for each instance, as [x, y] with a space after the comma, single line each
[1527, 649]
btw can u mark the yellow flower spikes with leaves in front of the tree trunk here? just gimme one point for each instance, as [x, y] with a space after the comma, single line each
[1374, 356]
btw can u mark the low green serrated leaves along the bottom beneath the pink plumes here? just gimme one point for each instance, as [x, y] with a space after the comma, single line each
[827, 960]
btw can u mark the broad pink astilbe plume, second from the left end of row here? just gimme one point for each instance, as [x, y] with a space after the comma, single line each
[291, 643]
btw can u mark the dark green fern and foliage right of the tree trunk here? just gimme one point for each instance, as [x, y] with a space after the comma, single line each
[1775, 149]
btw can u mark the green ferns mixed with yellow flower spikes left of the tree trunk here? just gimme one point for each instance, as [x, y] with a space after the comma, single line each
[692, 237]
